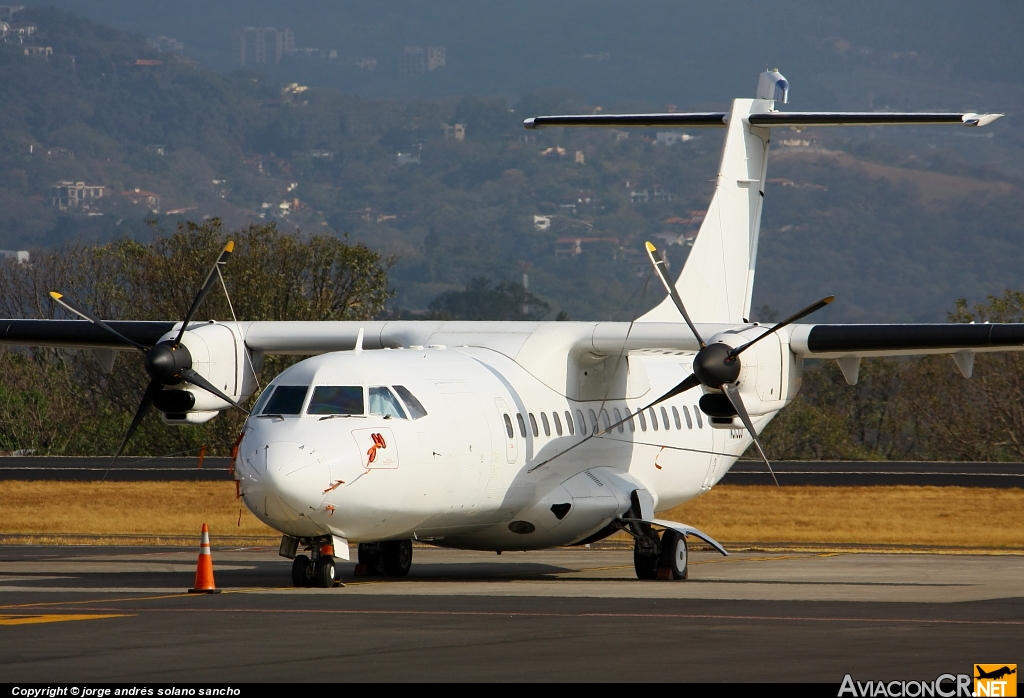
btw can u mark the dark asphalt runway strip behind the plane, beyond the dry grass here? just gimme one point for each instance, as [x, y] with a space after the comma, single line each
[838, 473]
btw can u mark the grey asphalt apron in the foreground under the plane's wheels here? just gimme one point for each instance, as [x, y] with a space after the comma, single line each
[120, 615]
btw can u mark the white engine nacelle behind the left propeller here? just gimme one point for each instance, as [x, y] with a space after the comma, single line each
[219, 355]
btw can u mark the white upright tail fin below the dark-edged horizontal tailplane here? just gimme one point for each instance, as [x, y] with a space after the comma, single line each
[718, 277]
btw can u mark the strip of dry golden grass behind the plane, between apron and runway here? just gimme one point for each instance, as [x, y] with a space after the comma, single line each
[174, 513]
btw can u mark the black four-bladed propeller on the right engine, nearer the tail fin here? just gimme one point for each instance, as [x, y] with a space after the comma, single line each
[718, 366]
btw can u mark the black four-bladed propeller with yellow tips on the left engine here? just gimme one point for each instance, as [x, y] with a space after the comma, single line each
[169, 362]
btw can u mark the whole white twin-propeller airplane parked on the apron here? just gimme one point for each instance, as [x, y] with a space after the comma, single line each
[511, 437]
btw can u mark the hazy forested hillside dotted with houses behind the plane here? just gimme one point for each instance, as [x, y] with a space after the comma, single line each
[859, 215]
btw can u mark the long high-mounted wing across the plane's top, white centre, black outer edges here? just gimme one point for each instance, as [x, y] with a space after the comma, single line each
[808, 341]
